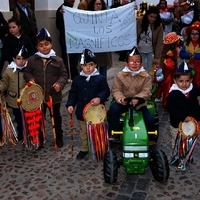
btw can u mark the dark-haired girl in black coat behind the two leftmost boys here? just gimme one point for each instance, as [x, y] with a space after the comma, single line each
[14, 39]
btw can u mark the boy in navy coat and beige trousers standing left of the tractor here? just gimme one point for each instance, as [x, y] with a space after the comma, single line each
[89, 86]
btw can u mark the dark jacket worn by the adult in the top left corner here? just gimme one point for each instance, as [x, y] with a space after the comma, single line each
[29, 25]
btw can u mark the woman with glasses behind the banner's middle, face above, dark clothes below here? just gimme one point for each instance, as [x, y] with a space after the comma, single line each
[104, 59]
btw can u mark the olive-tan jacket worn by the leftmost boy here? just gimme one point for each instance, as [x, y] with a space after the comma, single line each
[13, 83]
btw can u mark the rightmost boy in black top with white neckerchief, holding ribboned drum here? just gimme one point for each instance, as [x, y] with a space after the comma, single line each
[183, 106]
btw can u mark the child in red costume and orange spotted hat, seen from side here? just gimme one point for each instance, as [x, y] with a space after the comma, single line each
[169, 65]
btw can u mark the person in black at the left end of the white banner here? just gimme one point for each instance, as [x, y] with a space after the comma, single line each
[70, 60]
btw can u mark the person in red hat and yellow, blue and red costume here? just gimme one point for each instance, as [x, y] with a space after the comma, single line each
[190, 50]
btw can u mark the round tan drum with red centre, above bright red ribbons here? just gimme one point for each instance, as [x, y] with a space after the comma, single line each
[31, 97]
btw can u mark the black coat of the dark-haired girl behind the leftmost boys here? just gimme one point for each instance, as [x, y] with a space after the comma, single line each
[11, 42]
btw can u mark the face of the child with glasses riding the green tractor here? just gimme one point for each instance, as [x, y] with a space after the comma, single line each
[134, 63]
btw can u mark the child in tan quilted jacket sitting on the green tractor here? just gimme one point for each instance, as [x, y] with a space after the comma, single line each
[132, 81]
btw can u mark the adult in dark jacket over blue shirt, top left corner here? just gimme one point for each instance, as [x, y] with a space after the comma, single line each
[26, 16]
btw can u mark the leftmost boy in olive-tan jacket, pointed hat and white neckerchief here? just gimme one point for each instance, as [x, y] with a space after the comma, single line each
[13, 82]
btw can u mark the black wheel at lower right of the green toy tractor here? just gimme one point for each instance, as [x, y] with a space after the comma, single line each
[159, 164]
